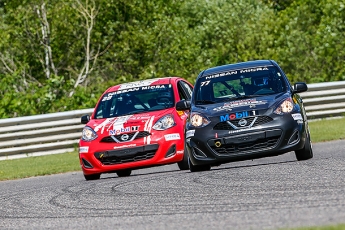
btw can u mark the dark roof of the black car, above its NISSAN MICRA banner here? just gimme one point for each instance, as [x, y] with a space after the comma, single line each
[235, 66]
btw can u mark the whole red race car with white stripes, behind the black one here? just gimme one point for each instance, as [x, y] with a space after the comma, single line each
[135, 125]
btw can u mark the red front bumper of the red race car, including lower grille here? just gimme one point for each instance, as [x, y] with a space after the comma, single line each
[97, 158]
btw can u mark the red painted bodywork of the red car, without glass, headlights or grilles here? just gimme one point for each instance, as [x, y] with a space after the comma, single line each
[135, 123]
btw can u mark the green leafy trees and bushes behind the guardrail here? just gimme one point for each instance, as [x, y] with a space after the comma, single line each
[132, 40]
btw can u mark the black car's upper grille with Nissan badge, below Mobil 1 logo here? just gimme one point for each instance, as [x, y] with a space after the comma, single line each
[260, 120]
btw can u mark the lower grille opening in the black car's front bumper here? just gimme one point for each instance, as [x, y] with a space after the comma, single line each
[234, 149]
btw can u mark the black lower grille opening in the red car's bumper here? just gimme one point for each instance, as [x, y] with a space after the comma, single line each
[127, 155]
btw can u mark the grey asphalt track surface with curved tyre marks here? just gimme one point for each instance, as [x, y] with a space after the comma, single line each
[268, 193]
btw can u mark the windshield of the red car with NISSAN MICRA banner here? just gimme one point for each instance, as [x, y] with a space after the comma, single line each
[135, 100]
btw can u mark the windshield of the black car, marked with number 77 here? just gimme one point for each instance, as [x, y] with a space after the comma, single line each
[238, 84]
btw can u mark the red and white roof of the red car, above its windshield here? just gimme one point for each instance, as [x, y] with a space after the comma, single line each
[146, 82]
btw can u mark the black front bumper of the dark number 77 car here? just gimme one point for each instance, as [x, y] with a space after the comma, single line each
[274, 136]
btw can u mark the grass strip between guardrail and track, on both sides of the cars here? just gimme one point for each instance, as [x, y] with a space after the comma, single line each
[323, 130]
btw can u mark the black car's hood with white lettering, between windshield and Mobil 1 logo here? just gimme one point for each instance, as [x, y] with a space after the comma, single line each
[239, 105]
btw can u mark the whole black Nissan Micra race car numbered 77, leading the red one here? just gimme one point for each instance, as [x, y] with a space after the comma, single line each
[244, 111]
